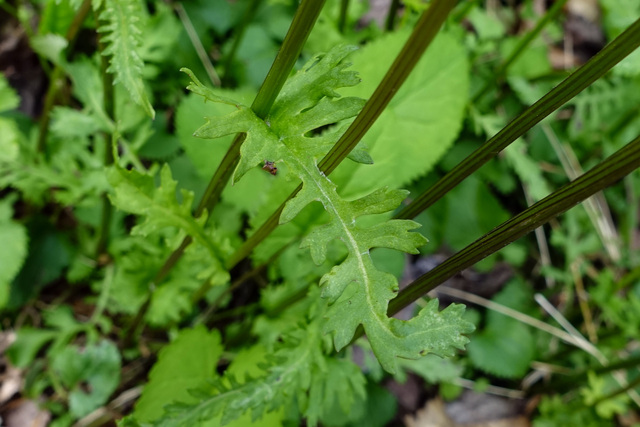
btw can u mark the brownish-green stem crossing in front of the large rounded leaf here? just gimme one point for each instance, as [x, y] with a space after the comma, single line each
[421, 37]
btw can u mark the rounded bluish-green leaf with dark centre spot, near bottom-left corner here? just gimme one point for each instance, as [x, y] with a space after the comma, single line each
[91, 374]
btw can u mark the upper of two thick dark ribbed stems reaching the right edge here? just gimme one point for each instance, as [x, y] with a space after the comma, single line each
[613, 53]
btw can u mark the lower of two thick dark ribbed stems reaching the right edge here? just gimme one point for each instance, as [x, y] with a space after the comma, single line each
[606, 173]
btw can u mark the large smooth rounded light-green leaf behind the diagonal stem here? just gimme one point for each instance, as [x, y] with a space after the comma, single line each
[421, 121]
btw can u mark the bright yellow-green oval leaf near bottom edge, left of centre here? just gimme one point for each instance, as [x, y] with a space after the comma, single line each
[186, 363]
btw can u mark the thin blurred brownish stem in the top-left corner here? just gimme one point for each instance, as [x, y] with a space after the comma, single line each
[58, 73]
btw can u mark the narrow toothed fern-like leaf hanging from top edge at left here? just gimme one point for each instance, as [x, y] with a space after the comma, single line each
[122, 18]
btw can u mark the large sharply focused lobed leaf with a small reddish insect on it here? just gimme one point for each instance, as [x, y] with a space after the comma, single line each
[359, 293]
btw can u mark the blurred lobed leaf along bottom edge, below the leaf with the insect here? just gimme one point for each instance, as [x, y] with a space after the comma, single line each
[298, 374]
